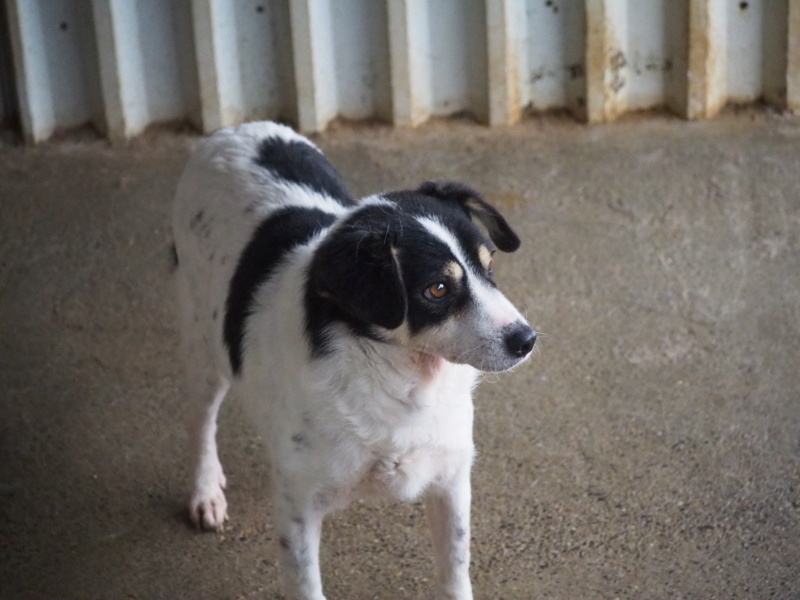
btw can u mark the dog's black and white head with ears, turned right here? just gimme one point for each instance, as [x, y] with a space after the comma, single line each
[411, 268]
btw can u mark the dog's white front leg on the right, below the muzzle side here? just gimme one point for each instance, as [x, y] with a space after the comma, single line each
[447, 509]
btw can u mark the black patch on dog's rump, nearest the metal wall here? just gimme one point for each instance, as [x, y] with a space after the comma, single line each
[303, 164]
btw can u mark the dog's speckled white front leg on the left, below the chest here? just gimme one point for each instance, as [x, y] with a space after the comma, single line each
[299, 526]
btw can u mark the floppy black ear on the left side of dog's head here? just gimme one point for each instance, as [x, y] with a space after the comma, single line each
[358, 270]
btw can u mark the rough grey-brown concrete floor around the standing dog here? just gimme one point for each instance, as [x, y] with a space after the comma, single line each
[651, 450]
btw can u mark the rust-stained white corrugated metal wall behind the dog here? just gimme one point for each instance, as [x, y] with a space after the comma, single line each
[122, 65]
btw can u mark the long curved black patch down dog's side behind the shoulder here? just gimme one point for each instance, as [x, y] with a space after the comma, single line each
[278, 234]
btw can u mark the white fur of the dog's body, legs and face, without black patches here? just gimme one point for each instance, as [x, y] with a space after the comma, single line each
[369, 418]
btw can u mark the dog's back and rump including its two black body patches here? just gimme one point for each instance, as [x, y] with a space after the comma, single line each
[247, 196]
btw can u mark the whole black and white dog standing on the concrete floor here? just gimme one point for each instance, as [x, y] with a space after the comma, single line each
[354, 333]
